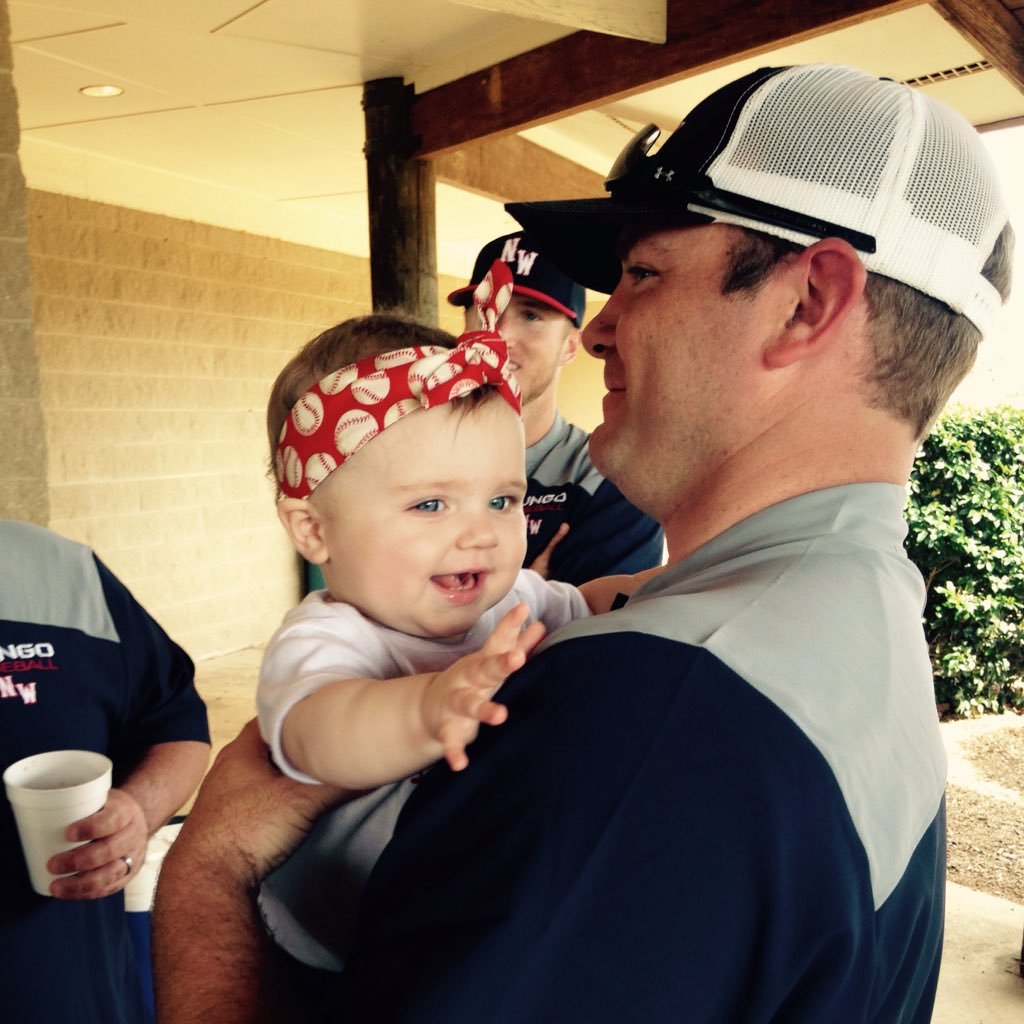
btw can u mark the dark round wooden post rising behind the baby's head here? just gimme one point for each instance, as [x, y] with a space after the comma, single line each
[403, 239]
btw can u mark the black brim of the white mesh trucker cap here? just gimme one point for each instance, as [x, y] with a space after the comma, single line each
[581, 237]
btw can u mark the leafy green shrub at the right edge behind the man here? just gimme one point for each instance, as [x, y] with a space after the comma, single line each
[966, 518]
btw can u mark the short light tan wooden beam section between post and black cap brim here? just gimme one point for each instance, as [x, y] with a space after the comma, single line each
[495, 168]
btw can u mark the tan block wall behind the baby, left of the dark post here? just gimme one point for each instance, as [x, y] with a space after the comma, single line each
[158, 340]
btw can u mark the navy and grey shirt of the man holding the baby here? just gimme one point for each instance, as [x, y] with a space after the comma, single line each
[722, 804]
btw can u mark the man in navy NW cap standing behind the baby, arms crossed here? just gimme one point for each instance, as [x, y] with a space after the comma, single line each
[577, 522]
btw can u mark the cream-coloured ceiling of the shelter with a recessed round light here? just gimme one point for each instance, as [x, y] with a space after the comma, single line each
[248, 114]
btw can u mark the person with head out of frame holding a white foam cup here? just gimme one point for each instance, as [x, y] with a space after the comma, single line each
[94, 697]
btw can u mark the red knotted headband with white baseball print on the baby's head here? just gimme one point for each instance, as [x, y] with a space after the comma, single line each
[352, 406]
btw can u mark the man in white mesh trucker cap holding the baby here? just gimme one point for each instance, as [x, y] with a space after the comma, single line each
[723, 802]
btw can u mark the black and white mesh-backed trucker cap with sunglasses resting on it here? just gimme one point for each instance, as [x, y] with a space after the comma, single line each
[804, 153]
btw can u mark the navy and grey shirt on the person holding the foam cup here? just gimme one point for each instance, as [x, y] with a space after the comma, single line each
[82, 666]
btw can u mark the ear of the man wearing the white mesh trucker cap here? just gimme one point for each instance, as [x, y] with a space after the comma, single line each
[828, 281]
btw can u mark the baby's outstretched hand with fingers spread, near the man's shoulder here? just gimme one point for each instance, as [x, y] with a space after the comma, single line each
[458, 700]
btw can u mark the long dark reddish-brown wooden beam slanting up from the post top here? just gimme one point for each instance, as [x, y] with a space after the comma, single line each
[586, 70]
